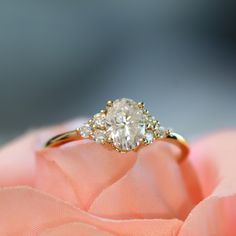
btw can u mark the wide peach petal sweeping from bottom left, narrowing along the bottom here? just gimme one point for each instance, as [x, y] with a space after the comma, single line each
[31, 212]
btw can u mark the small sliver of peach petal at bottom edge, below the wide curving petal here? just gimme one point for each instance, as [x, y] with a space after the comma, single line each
[75, 229]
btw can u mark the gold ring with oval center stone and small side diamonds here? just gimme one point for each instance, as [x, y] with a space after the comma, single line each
[124, 125]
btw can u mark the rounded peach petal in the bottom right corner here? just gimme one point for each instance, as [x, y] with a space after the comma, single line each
[214, 216]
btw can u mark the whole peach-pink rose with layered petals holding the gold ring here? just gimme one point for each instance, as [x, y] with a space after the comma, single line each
[82, 188]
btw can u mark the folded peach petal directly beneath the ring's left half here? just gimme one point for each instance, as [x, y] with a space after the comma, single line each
[87, 167]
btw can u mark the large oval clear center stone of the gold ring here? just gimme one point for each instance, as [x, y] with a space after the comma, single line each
[126, 124]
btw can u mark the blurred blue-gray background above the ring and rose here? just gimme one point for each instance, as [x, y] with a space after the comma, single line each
[64, 59]
